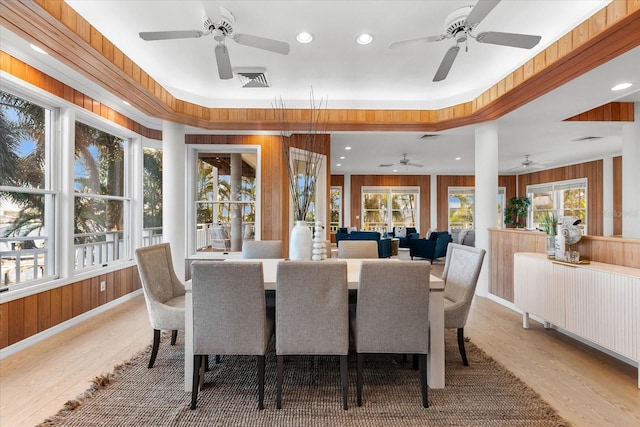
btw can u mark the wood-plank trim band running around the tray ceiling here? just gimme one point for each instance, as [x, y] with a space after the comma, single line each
[607, 34]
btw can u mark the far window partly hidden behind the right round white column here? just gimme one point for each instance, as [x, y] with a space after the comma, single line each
[462, 207]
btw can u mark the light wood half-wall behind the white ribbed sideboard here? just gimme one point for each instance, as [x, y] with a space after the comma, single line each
[505, 242]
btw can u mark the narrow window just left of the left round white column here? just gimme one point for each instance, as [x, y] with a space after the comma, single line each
[152, 196]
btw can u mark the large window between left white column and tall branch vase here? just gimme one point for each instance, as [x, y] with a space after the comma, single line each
[226, 187]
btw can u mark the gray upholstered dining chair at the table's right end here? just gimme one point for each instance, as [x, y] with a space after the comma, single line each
[460, 275]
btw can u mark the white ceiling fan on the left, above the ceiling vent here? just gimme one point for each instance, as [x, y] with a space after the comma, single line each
[221, 31]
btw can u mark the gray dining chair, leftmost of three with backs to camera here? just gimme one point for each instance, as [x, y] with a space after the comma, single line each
[229, 316]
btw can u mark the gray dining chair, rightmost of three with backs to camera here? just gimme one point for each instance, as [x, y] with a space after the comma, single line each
[392, 315]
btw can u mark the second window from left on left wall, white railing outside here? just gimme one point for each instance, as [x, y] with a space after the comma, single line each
[101, 213]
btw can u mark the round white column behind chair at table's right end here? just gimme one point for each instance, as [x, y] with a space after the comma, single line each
[486, 193]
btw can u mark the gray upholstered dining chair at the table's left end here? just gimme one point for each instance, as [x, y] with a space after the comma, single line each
[163, 292]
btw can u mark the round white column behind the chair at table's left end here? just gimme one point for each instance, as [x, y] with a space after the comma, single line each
[174, 194]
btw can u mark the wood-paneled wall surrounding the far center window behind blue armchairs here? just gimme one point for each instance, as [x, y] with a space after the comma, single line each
[422, 181]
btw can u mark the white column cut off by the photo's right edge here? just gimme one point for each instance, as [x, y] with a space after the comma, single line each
[631, 177]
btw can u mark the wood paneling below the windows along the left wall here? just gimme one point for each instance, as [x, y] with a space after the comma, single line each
[24, 317]
